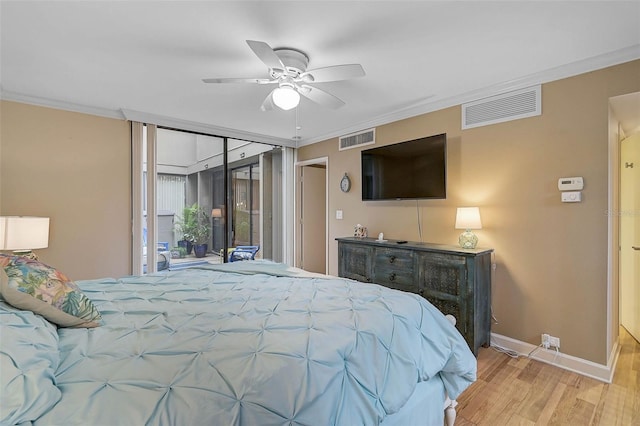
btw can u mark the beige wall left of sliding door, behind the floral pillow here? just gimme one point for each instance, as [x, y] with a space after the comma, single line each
[75, 169]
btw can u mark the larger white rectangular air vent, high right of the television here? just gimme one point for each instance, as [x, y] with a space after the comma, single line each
[500, 108]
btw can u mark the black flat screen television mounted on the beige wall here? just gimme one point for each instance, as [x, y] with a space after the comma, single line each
[411, 170]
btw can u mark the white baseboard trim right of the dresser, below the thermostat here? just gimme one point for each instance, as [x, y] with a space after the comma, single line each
[577, 365]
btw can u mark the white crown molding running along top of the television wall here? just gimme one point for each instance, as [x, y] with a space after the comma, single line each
[430, 105]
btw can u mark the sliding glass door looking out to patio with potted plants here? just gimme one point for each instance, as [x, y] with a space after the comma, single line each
[188, 184]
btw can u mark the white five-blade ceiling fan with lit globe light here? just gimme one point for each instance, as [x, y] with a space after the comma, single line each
[288, 69]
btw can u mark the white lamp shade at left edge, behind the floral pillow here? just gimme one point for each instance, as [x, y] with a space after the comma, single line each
[23, 232]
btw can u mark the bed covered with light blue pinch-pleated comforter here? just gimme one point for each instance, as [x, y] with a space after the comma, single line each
[243, 343]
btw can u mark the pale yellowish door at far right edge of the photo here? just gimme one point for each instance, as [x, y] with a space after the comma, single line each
[630, 235]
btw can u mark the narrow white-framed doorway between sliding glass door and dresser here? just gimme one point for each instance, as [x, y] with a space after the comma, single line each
[311, 223]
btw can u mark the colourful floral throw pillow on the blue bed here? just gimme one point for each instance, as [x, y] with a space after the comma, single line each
[37, 287]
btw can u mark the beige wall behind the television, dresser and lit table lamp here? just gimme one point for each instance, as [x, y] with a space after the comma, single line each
[551, 257]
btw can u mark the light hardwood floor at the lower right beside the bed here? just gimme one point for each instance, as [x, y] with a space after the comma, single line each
[524, 391]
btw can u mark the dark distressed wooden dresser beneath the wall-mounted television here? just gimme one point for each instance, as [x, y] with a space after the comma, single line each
[457, 281]
